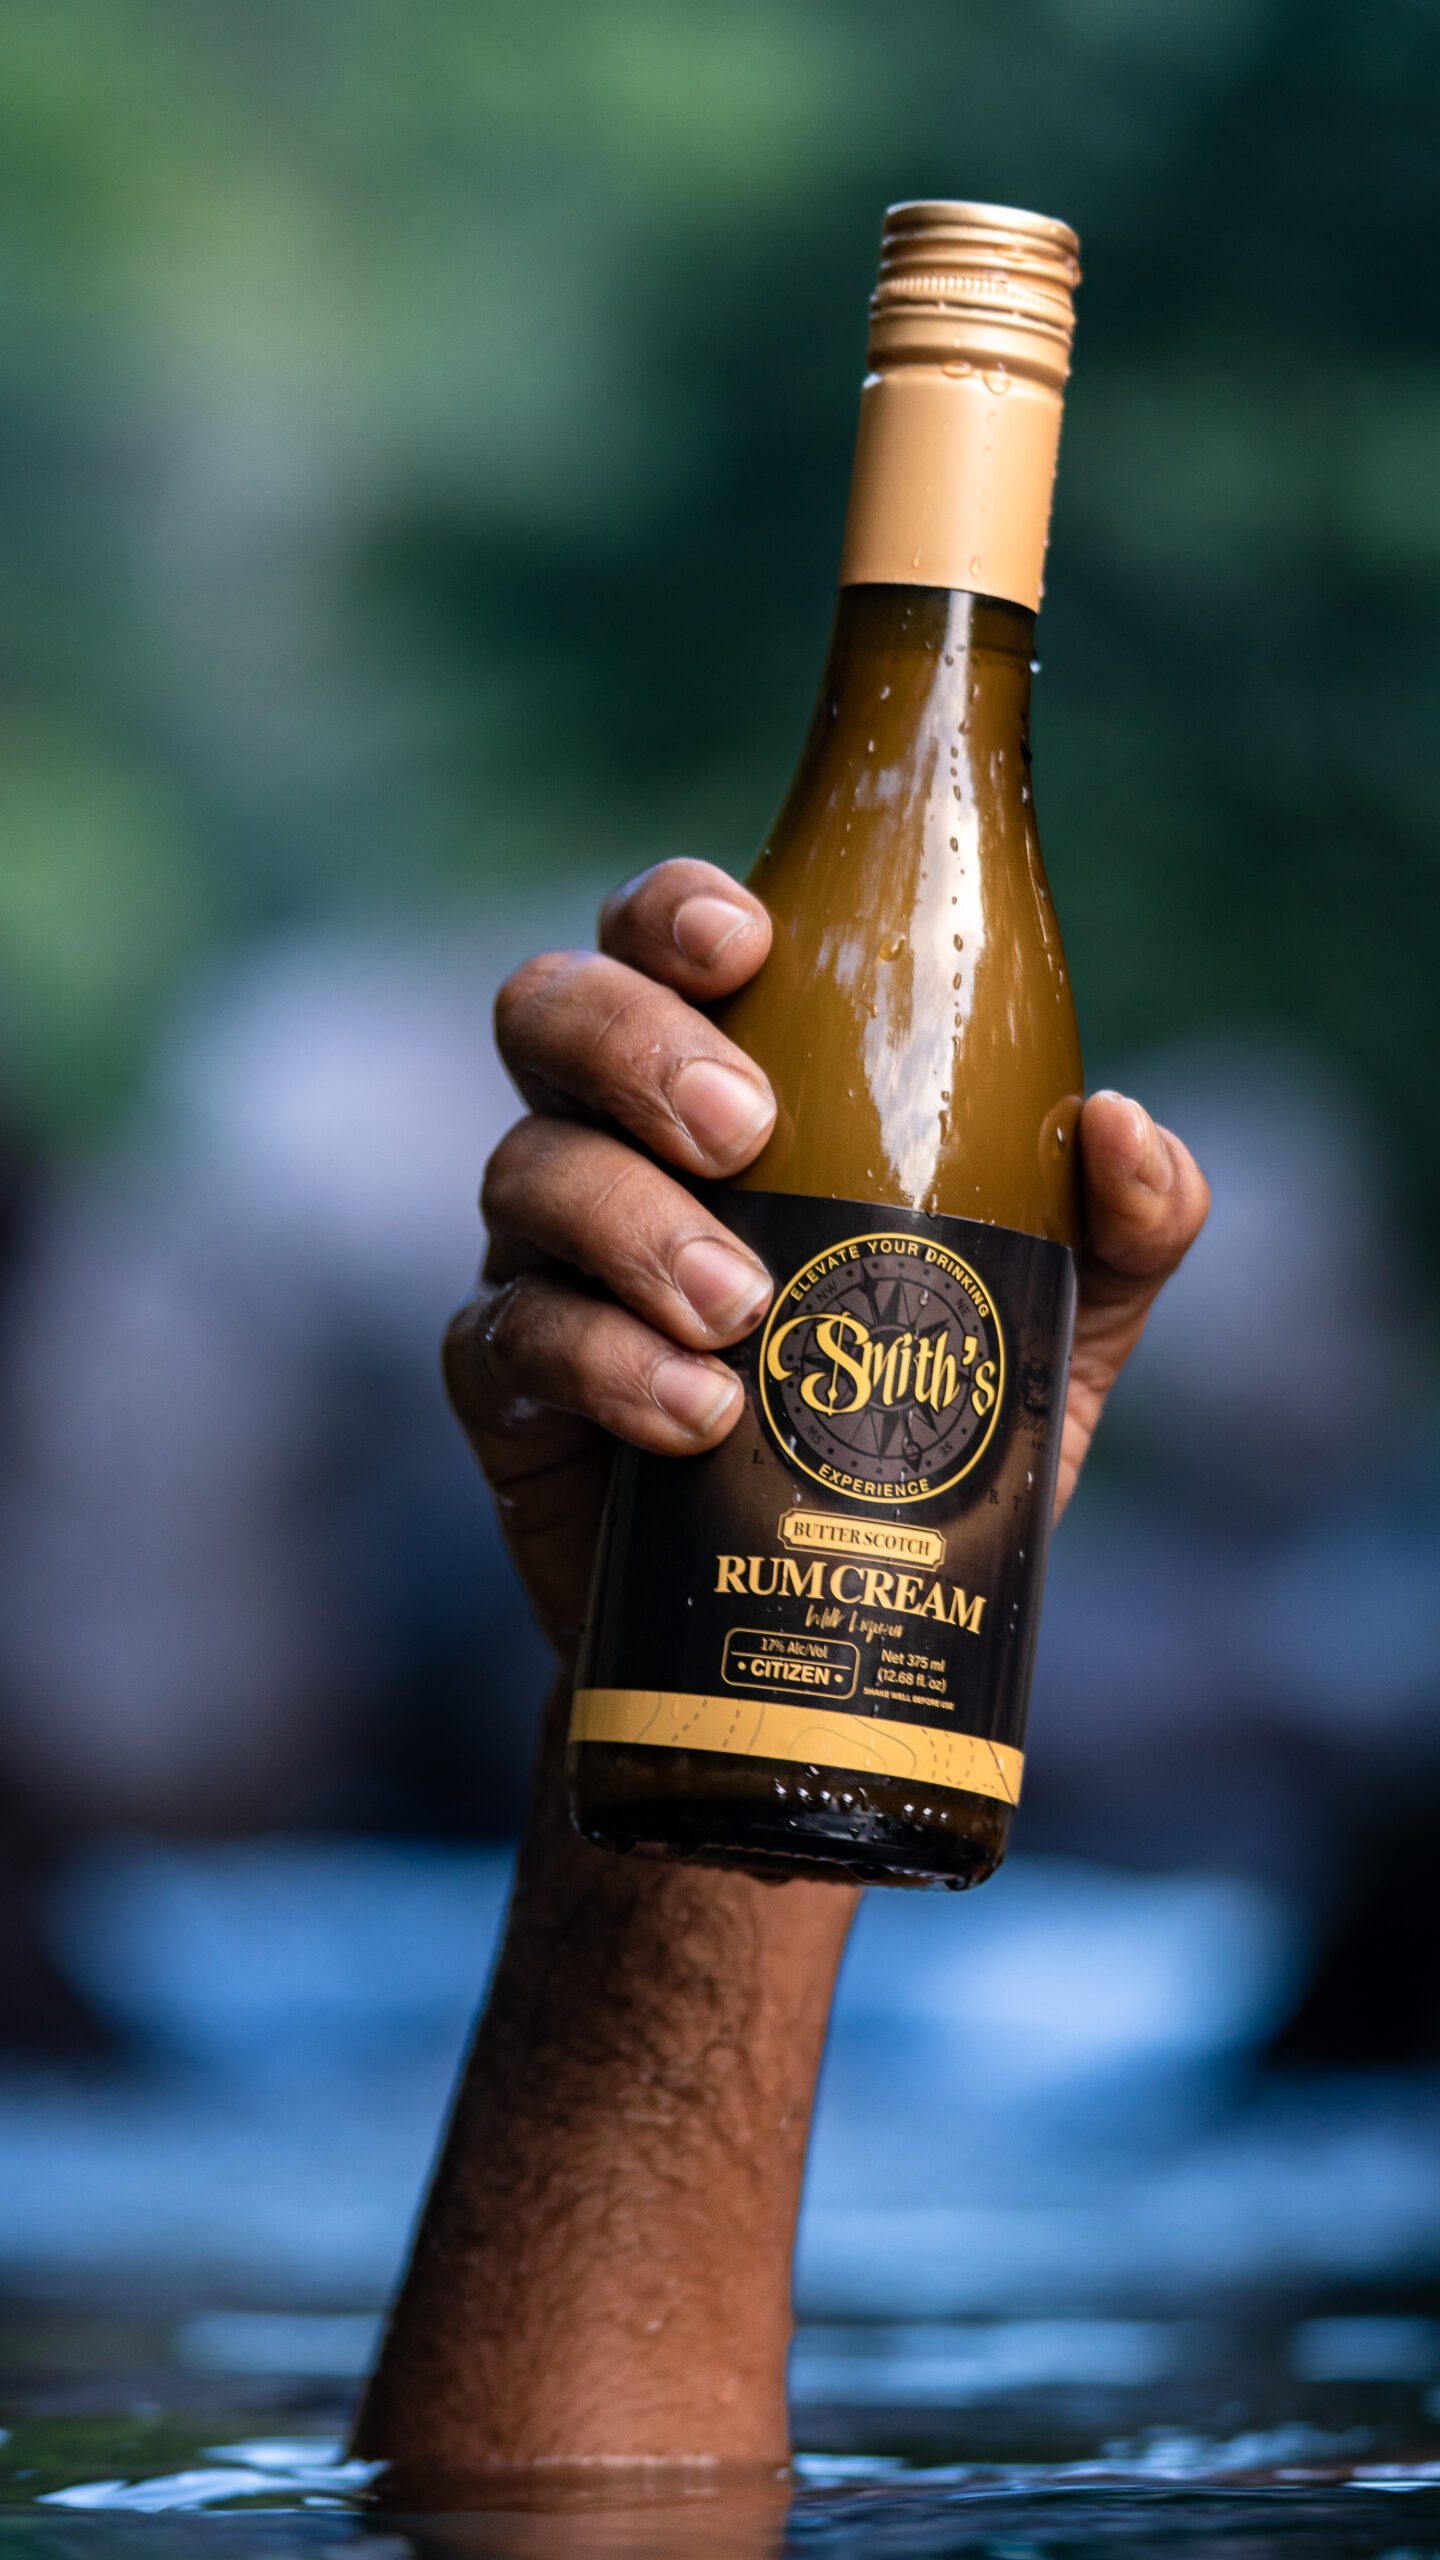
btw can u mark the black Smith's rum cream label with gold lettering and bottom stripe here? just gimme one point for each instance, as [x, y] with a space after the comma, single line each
[855, 1578]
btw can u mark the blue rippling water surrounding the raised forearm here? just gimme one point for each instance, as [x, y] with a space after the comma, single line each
[1080, 2269]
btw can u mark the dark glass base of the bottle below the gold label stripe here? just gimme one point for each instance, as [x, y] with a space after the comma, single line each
[778, 1821]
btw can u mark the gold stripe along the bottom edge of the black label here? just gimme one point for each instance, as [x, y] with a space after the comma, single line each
[773, 1729]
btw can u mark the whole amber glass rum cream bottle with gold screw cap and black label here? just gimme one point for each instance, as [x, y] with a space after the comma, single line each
[814, 1645]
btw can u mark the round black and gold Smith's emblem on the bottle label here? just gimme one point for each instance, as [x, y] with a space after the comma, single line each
[883, 1368]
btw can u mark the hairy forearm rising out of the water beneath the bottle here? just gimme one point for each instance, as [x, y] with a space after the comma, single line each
[603, 2262]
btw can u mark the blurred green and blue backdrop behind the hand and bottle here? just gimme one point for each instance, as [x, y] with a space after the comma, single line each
[424, 457]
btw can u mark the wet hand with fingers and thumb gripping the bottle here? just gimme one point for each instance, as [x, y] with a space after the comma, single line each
[609, 1289]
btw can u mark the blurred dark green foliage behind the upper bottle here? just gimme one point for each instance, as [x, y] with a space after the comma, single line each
[424, 454]
